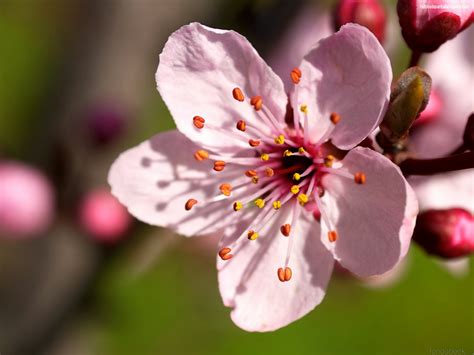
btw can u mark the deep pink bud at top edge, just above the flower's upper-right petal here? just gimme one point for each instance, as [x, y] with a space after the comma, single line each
[368, 13]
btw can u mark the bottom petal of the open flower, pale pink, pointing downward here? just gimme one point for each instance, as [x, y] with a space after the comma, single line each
[249, 284]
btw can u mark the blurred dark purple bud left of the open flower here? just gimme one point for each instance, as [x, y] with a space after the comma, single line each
[104, 124]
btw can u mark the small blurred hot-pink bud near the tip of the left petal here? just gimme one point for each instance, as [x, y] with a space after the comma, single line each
[103, 217]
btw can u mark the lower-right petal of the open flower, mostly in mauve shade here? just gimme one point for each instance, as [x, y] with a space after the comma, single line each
[374, 221]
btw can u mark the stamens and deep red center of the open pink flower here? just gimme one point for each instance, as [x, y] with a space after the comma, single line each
[281, 168]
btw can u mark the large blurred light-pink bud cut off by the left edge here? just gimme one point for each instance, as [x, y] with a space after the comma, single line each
[26, 201]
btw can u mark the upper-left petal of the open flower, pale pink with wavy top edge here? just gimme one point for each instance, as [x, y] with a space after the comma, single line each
[199, 67]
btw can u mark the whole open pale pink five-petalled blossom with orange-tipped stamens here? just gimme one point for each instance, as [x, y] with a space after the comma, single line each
[260, 166]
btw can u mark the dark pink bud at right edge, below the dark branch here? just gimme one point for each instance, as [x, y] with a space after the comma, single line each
[446, 233]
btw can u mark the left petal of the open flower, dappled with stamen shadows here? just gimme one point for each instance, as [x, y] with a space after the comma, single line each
[156, 178]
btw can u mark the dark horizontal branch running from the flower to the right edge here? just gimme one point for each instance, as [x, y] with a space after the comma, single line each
[438, 165]
